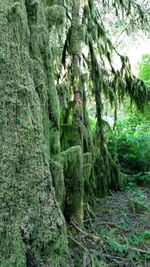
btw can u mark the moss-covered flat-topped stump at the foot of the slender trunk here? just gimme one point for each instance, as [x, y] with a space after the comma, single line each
[72, 160]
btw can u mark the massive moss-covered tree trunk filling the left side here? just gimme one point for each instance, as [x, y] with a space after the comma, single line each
[32, 228]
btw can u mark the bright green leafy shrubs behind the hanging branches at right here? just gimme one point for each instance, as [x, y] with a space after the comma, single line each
[133, 142]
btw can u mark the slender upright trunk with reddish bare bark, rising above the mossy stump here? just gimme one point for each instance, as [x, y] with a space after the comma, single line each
[75, 51]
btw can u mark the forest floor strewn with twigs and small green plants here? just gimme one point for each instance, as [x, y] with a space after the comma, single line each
[118, 234]
